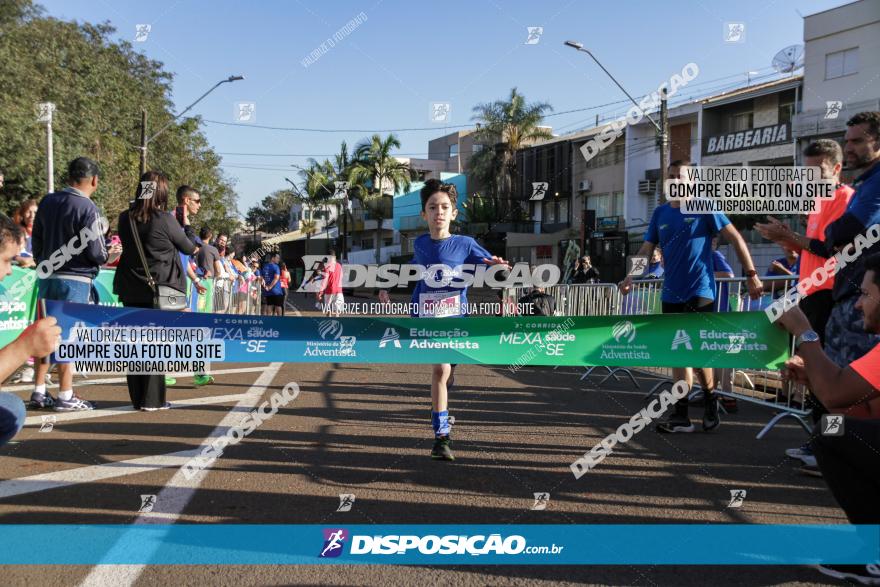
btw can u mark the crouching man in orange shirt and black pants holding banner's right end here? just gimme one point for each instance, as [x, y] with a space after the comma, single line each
[850, 462]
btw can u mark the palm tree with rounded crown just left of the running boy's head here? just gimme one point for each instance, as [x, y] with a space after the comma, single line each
[374, 173]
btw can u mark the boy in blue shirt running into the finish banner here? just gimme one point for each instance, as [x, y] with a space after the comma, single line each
[443, 297]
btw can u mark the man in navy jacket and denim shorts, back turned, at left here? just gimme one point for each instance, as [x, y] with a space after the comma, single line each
[68, 242]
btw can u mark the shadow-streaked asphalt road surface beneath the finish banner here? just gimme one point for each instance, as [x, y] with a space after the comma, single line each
[365, 429]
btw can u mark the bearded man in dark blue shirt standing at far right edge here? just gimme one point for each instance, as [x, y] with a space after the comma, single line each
[845, 336]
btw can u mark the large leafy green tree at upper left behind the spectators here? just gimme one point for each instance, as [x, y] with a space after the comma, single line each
[99, 87]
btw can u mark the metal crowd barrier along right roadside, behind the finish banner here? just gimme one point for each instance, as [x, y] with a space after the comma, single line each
[759, 387]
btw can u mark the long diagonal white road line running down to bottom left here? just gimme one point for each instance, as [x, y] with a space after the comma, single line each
[172, 500]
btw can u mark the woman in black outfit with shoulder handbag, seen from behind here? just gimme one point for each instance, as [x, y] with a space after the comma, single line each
[149, 274]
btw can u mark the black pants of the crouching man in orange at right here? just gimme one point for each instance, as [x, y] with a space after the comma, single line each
[850, 465]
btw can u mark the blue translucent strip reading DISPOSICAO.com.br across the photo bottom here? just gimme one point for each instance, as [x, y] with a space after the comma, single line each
[534, 544]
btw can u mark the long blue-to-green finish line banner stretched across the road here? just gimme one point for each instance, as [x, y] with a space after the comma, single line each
[96, 334]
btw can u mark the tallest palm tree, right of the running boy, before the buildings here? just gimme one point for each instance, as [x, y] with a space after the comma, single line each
[504, 127]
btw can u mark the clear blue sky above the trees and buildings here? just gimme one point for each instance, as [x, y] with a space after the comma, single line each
[385, 74]
